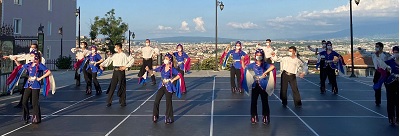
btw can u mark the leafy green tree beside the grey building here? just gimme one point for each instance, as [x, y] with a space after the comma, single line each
[109, 26]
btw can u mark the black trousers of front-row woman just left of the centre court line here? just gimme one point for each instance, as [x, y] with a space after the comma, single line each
[169, 113]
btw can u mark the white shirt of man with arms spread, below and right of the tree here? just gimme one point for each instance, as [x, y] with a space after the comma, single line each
[119, 60]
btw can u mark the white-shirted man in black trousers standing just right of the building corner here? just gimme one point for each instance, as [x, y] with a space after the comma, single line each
[81, 63]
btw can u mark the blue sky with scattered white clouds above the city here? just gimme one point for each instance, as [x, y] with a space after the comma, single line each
[240, 19]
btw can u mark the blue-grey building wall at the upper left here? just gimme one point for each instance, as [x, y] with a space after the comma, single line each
[26, 16]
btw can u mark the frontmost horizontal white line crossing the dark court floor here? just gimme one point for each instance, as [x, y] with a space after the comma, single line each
[201, 115]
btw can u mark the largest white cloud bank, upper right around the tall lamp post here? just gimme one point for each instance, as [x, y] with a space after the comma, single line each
[336, 19]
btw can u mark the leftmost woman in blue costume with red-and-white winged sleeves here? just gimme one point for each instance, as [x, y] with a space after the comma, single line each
[36, 72]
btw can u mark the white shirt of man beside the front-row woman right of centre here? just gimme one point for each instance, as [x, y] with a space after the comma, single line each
[292, 65]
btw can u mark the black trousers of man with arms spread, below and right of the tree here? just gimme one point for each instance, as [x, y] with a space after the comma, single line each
[118, 78]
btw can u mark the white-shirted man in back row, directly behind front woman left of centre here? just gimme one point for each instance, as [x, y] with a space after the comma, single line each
[147, 55]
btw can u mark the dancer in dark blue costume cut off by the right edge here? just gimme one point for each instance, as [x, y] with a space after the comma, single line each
[392, 87]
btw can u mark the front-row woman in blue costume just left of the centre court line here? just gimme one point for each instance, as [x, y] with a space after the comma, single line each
[168, 75]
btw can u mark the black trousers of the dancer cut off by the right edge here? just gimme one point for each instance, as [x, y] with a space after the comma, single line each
[392, 96]
